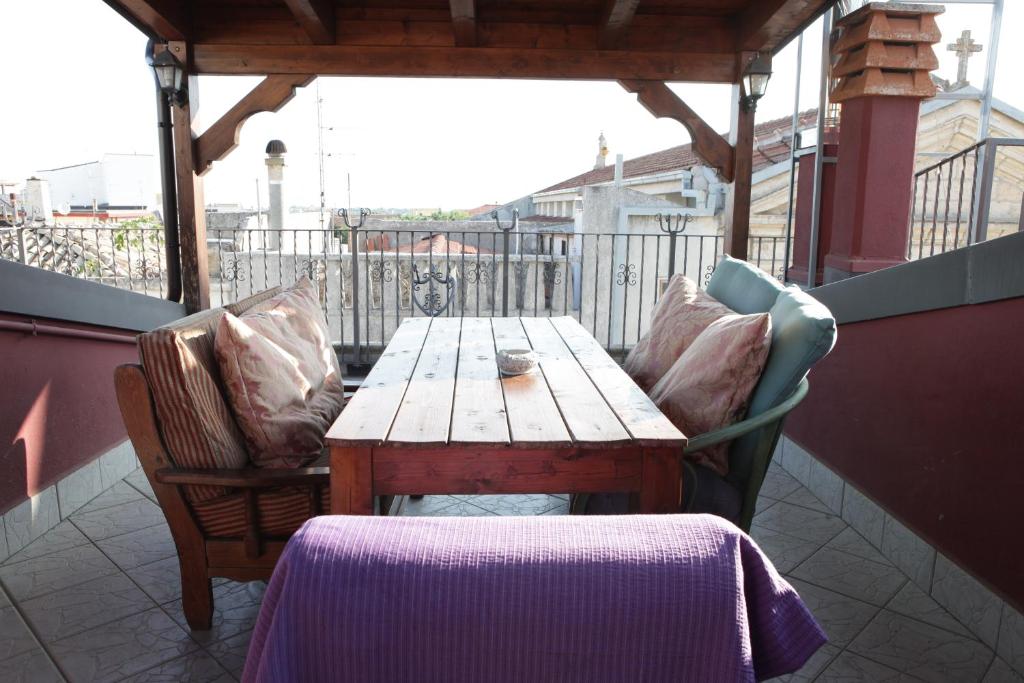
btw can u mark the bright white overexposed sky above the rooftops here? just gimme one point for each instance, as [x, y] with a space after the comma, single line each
[404, 143]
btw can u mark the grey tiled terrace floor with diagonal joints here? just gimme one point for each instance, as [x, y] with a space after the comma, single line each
[97, 597]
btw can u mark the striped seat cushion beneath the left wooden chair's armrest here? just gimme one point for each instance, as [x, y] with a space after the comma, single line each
[281, 513]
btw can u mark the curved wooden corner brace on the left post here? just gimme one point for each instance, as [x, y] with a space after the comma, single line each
[270, 96]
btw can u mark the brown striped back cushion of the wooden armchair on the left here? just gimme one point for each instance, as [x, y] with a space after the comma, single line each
[198, 428]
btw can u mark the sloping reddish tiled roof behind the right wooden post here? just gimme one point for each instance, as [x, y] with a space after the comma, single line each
[772, 145]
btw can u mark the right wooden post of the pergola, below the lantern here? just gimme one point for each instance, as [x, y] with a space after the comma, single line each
[738, 210]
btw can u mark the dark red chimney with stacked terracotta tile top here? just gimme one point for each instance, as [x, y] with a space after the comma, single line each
[882, 62]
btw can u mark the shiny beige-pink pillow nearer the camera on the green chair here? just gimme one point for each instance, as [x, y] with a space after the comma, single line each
[710, 386]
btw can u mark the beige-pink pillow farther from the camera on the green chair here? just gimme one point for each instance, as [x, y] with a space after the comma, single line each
[682, 314]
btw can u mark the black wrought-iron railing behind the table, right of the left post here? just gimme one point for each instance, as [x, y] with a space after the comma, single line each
[367, 285]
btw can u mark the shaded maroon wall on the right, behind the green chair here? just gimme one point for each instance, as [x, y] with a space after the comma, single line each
[925, 414]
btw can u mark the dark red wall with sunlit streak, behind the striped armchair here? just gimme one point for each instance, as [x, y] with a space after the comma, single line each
[58, 408]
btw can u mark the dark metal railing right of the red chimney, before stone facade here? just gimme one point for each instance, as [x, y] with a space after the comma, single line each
[954, 199]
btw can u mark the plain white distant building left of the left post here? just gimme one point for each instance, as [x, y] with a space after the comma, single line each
[117, 185]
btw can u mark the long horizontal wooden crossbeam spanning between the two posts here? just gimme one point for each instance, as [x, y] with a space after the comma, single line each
[465, 63]
